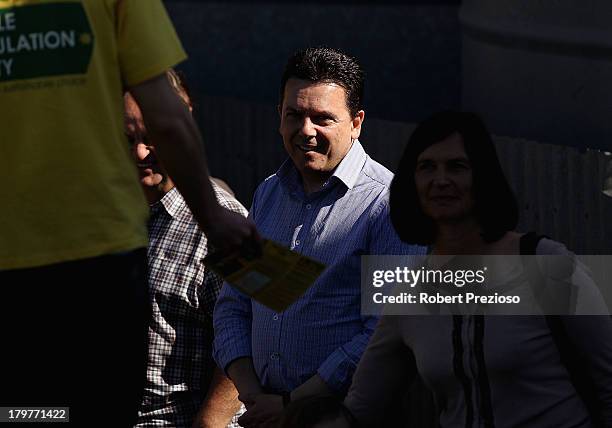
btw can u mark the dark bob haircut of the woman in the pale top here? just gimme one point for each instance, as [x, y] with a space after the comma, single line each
[495, 206]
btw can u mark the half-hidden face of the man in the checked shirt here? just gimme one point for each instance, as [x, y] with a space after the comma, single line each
[153, 177]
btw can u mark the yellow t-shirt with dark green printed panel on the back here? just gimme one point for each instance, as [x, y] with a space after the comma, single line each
[71, 189]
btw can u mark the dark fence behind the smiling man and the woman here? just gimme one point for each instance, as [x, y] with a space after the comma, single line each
[558, 187]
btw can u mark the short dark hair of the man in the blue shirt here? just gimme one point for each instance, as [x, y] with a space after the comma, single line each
[327, 65]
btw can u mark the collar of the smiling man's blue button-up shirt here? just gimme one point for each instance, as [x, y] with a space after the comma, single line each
[347, 171]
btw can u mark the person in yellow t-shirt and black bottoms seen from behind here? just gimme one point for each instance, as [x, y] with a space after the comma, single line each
[73, 234]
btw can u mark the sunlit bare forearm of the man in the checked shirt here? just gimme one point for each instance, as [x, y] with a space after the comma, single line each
[220, 405]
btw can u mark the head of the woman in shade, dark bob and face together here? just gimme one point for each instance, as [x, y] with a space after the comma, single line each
[490, 203]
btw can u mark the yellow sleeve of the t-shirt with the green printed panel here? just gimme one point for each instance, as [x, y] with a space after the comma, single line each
[147, 43]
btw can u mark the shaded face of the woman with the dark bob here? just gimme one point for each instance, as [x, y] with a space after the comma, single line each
[443, 178]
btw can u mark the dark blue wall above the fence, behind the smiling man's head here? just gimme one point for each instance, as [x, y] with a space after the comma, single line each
[411, 52]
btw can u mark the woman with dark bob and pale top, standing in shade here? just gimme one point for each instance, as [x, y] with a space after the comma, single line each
[485, 371]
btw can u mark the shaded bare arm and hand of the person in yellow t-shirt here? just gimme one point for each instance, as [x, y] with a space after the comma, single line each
[179, 146]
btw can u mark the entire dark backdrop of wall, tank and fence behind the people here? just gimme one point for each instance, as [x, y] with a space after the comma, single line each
[538, 72]
